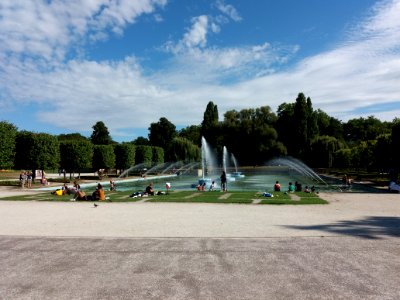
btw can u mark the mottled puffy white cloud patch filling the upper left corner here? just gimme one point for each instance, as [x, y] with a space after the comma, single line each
[48, 29]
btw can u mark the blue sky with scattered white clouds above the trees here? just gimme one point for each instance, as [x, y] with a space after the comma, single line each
[66, 64]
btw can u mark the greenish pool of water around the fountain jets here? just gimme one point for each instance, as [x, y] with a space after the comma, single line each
[255, 179]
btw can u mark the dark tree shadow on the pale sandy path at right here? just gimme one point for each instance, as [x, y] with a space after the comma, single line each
[370, 227]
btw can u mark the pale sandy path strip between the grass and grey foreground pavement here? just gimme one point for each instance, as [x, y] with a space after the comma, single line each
[355, 212]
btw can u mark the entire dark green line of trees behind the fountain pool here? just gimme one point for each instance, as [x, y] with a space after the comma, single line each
[254, 135]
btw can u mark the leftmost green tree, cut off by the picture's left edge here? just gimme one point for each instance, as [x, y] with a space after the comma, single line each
[8, 134]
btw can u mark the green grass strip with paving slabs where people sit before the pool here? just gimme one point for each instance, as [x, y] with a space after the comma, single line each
[243, 197]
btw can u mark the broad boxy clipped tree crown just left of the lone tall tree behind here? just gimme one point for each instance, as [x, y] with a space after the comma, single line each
[76, 155]
